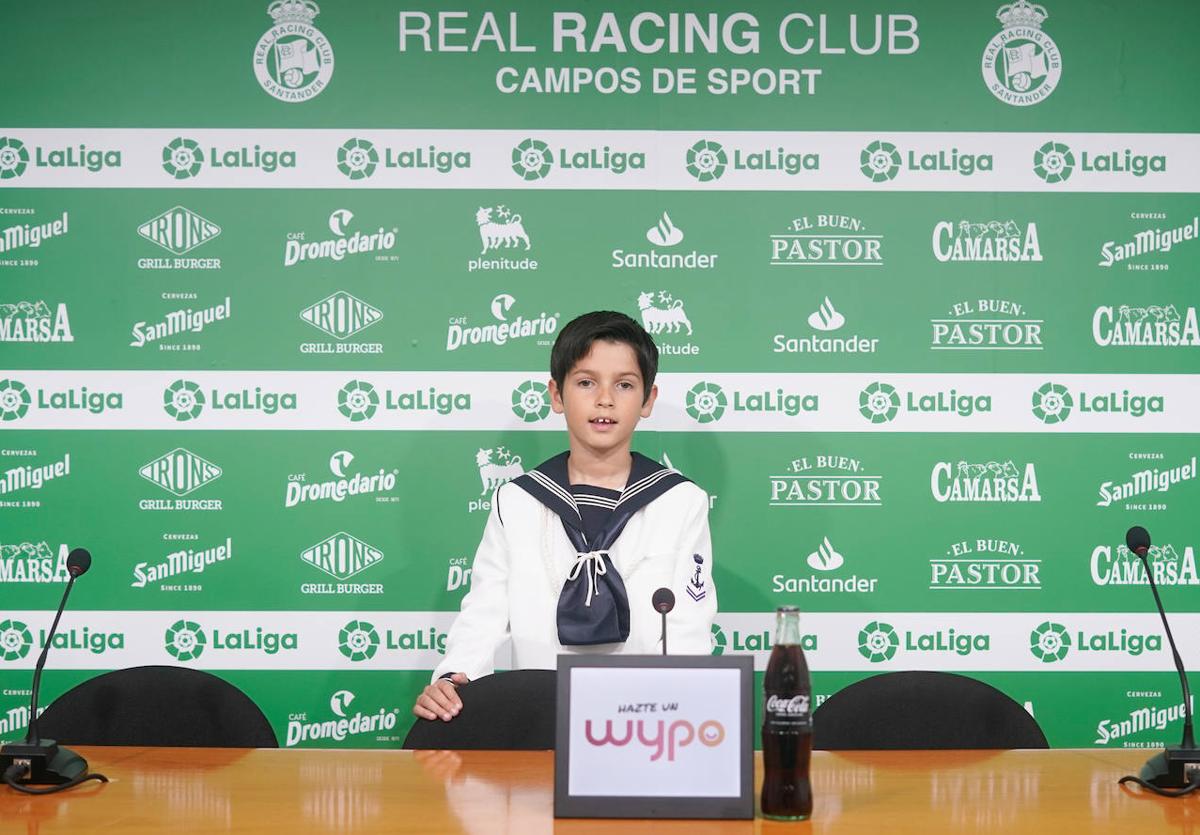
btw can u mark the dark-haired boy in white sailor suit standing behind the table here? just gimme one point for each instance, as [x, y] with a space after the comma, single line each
[575, 549]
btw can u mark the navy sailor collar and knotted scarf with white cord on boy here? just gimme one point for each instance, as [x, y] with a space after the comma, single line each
[593, 606]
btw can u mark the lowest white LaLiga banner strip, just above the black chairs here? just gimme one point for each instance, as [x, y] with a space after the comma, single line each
[836, 641]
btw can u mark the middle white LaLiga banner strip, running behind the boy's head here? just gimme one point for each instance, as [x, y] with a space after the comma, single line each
[513, 401]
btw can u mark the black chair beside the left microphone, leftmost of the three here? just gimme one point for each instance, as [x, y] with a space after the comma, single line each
[157, 706]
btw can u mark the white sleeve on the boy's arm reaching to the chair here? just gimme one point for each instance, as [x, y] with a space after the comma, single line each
[483, 622]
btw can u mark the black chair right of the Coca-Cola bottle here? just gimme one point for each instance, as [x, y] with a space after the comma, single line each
[923, 711]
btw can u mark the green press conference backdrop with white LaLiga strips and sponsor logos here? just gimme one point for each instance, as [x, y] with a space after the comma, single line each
[279, 285]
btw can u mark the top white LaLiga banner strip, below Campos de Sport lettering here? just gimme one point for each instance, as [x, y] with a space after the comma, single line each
[637, 160]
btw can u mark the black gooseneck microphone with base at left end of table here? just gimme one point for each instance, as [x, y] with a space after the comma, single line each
[41, 761]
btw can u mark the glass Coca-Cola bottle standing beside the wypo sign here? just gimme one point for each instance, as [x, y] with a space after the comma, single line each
[787, 724]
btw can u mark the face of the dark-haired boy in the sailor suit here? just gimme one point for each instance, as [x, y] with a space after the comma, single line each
[602, 398]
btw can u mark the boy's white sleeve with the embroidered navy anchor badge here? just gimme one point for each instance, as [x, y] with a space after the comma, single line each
[691, 624]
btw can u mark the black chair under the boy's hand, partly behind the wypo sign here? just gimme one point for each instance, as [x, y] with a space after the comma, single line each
[513, 711]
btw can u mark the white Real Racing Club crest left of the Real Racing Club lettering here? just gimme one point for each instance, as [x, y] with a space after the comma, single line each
[293, 61]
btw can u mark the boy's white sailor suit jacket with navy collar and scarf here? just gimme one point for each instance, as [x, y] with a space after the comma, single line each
[538, 580]
